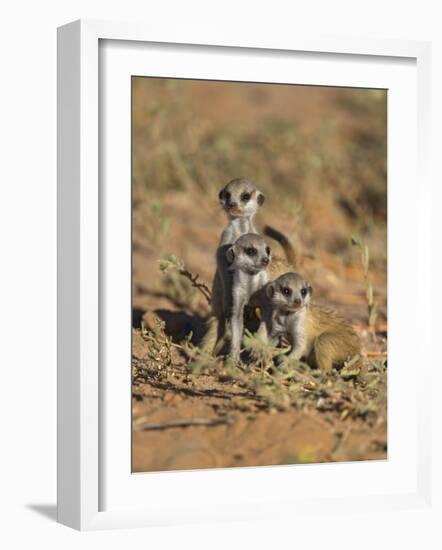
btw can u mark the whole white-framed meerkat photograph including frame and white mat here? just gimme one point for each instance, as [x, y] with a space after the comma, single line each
[239, 318]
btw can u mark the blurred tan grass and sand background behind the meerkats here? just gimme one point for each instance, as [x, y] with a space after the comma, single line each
[319, 154]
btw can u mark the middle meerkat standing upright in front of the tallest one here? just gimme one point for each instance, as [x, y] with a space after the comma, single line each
[247, 260]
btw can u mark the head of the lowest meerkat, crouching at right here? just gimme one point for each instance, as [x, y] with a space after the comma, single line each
[289, 292]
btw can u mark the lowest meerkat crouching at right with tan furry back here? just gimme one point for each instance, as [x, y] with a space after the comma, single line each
[317, 334]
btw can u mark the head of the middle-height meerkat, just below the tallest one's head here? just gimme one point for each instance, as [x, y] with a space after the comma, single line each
[250, 253]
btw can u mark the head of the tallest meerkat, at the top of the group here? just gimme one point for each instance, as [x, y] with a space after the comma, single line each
[240, 198]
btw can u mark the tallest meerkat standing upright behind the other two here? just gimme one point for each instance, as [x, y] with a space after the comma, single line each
[240, 199]
